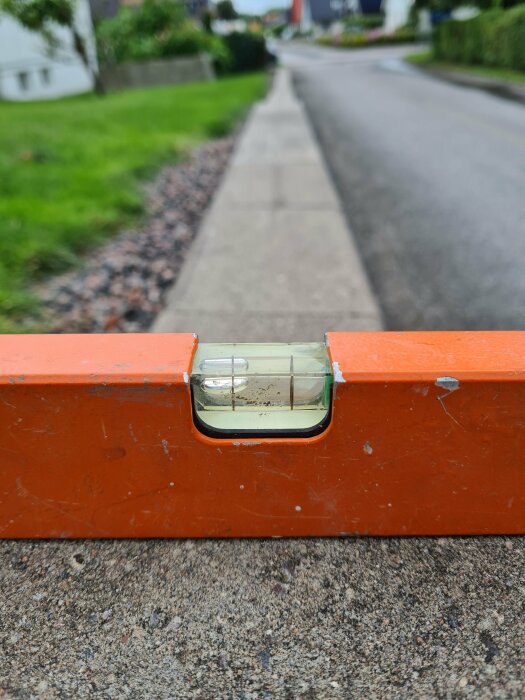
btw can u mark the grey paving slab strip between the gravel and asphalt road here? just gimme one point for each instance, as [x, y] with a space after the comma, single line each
[275, 259]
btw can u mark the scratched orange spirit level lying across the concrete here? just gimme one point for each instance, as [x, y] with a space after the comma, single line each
[158, 436]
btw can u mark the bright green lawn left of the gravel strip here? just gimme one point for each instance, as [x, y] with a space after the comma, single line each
[70, 170]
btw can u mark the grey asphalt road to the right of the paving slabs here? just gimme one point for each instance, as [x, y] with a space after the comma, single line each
[432, 177]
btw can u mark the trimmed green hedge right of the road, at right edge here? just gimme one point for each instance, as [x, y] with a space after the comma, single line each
[494, 38]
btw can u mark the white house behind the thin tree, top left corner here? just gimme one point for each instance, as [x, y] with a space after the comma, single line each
[28, 72]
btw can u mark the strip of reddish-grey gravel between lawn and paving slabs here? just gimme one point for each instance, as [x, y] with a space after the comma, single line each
[123, 284]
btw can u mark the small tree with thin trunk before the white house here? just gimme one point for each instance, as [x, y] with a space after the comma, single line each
[42, 15]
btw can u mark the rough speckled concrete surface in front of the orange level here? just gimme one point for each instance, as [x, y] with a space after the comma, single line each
[309, 619]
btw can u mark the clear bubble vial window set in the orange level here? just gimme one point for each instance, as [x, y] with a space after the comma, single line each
[273, 389]
